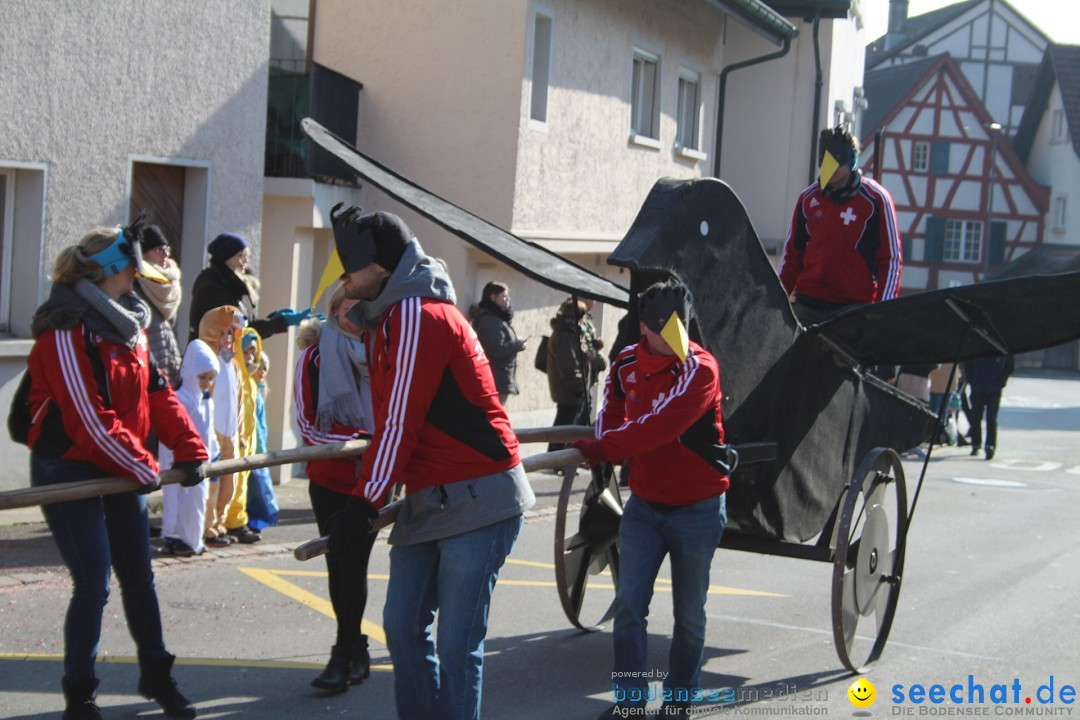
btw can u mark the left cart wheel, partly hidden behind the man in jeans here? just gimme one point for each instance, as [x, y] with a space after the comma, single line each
[592, 549]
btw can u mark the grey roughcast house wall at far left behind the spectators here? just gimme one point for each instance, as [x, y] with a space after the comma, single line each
[89, 89]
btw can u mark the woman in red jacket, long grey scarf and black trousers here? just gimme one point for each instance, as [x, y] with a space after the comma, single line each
[333, 405]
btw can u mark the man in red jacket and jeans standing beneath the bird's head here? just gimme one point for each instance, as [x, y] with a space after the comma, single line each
[663, 413]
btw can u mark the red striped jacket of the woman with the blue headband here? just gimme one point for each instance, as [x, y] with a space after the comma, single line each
[97, 401]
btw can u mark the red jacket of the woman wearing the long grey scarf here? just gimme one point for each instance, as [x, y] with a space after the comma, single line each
[337, 474]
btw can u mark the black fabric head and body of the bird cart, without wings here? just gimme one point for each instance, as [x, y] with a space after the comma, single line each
[780, 385]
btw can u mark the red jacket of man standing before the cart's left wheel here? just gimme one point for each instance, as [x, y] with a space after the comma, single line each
[665, 416]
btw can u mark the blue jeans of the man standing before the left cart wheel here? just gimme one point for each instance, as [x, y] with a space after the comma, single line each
[646, 535]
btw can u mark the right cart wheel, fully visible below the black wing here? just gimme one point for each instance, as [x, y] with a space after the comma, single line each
[869, 563]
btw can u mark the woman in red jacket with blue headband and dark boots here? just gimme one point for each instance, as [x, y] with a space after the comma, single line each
[96, 396]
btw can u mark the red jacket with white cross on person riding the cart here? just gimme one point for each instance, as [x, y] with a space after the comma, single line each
[844, 253]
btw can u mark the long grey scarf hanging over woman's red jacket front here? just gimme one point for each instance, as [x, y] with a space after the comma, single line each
[345, 392]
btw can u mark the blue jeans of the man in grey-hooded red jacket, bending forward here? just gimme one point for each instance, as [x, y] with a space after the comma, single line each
[456, 577]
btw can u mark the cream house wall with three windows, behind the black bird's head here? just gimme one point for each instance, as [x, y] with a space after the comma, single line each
[579, 174]
